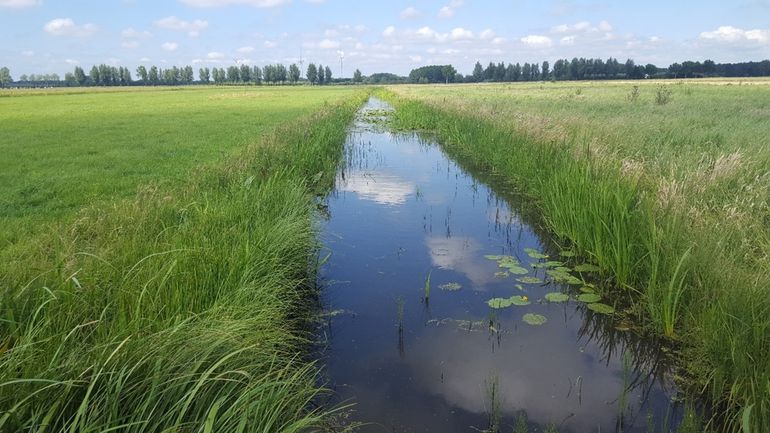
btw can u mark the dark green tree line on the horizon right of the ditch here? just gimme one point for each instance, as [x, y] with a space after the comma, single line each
[585, 69]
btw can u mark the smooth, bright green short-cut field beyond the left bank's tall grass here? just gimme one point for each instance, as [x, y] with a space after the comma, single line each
[63, 149]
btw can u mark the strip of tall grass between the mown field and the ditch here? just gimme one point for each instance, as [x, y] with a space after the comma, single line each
[184, 306]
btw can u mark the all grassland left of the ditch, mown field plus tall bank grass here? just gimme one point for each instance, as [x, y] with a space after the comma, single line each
[157, 274]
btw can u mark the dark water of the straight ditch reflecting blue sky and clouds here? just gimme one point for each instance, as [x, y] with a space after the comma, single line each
[402, 210]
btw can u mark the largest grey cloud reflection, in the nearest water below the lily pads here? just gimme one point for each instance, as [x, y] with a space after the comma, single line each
[534, 367]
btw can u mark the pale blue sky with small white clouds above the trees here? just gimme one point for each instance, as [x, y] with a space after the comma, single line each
[53, 36]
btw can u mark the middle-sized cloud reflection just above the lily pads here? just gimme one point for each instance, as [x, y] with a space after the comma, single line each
[460, 254]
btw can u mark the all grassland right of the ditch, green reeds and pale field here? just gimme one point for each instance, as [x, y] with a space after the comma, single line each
[664, 186]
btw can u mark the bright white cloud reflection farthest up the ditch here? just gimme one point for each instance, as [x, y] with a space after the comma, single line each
[379, 187]
